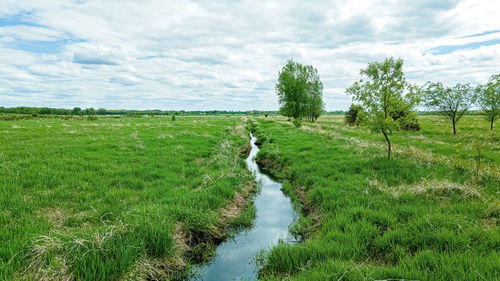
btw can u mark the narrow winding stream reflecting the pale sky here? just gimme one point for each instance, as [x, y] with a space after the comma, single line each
[235, 258]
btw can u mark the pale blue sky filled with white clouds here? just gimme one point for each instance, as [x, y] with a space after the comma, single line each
[226, 55]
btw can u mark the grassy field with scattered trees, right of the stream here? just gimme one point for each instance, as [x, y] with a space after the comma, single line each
[375, 219]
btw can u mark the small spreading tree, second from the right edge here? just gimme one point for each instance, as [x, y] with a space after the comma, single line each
[452, 102]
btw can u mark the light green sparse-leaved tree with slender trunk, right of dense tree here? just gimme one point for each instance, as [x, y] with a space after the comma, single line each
[384, 91]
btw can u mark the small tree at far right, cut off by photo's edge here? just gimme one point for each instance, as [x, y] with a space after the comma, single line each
[488, 97]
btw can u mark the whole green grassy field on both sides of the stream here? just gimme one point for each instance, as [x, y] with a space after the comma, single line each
[144, 198]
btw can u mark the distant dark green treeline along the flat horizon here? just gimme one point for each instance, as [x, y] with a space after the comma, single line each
[123, 112]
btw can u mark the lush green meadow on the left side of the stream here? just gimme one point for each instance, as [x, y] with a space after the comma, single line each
[116, 198]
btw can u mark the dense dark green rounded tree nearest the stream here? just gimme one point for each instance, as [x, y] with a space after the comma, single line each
[300, 91]
